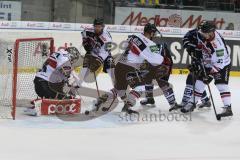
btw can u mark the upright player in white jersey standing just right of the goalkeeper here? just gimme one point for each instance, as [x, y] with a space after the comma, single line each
[97, 42]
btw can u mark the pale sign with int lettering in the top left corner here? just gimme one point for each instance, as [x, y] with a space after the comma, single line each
[10, 10]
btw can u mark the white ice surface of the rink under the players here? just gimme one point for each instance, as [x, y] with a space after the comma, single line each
[109, 137]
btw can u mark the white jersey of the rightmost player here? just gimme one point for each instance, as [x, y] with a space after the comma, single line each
[215, 53]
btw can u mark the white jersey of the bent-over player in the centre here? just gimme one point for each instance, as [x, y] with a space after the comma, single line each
[142, 48]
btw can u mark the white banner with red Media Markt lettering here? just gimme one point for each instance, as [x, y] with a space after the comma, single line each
[175, 18]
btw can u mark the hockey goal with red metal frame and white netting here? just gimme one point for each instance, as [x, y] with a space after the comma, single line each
[19, 61]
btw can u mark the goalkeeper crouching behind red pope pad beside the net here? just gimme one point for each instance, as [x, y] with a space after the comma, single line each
[55, 73]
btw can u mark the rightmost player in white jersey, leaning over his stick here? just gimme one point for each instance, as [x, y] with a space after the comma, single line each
[217, 63]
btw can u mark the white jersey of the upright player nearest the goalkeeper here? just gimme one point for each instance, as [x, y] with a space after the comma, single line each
[103, 42]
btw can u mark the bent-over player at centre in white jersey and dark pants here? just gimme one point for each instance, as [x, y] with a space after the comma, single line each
[141, 62]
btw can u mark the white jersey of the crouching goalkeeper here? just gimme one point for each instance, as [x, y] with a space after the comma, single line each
[57, 67]
